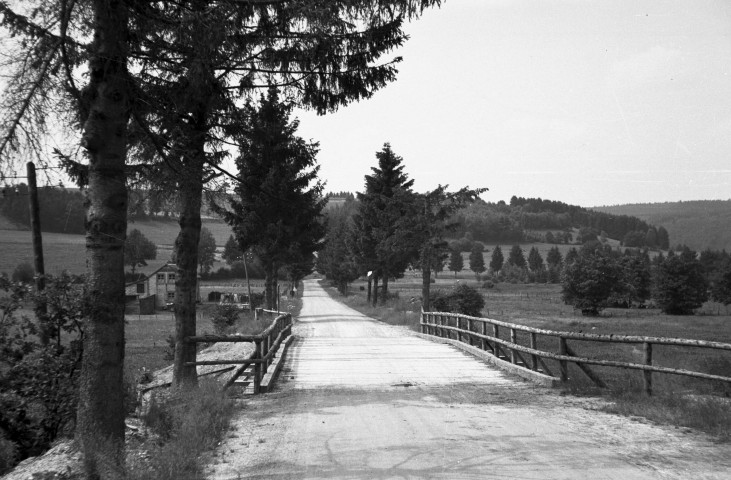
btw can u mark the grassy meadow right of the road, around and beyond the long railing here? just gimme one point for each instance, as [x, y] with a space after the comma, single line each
[678, 401]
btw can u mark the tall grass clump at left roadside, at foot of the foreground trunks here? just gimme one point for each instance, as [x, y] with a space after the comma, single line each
[184, 424]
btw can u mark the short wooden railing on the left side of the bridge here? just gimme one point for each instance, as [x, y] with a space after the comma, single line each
[266, 344]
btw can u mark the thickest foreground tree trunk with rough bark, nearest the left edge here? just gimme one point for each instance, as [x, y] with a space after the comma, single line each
[100, 413]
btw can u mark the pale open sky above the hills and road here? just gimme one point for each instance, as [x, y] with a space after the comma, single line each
[586, 102]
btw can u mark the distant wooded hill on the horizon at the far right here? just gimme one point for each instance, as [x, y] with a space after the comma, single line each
[699, 224]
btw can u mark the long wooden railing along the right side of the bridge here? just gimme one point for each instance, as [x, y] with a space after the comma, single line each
[487, 337]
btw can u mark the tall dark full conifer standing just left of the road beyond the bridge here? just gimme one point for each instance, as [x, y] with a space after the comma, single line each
[278, 198]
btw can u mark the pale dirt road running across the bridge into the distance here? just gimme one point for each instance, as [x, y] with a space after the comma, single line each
[360, 399]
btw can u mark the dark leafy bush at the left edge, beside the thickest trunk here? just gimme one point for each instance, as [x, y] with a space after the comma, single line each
[39, 382]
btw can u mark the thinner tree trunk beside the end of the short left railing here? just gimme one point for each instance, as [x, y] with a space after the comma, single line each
[186, 258]
